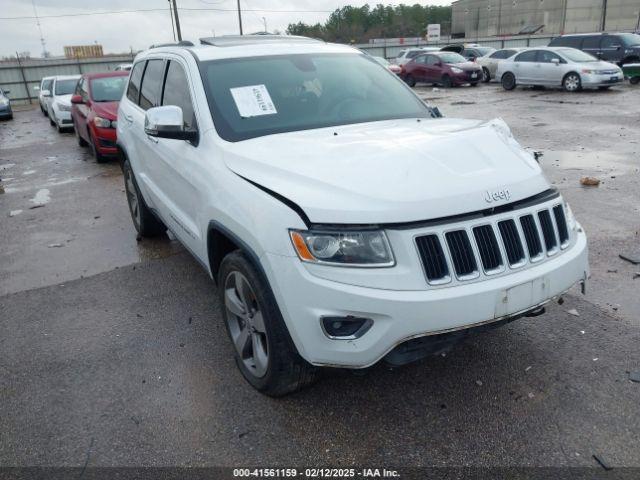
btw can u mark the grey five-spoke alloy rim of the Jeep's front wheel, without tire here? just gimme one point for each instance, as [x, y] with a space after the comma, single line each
[246, 323]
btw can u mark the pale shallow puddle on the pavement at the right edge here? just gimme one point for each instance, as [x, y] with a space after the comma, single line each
[603, 162]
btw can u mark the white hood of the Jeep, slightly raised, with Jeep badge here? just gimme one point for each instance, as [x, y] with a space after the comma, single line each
[391, 171]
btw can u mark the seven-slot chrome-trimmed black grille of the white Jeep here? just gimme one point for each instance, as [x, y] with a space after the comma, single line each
[512, 239]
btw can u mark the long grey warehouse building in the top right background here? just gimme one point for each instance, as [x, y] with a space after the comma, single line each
[487, 18]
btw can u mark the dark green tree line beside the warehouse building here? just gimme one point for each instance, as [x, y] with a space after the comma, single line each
[359, 24]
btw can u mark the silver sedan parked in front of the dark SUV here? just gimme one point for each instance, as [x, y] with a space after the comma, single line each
[569, 68]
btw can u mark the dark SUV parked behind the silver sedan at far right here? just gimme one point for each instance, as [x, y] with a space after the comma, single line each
[620, 48]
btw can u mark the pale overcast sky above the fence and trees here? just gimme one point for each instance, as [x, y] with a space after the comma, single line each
[137, 30]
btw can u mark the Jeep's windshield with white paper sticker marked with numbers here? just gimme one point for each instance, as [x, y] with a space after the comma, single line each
[252, 97]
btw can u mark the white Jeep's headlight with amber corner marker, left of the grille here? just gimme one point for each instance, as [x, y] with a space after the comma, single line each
[347, 248]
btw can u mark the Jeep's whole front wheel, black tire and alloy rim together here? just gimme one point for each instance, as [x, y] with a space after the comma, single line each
[263, 349]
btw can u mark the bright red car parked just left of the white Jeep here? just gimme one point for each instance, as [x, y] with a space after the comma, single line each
[94, 111]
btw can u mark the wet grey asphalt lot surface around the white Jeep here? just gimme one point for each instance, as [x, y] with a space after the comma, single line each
[113, 351]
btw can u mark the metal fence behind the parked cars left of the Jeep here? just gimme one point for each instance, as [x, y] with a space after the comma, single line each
[21, 77]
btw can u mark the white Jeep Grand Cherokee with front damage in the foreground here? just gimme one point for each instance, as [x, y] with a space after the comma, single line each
[343, 221]
